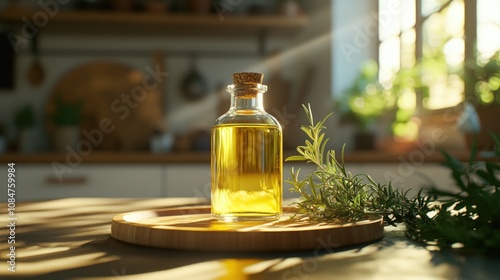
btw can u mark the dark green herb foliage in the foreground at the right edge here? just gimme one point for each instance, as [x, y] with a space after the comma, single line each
[470, 217]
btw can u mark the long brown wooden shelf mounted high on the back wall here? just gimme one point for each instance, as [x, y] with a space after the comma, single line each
[144, 22]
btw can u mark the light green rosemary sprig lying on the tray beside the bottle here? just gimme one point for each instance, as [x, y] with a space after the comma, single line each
[331, 192]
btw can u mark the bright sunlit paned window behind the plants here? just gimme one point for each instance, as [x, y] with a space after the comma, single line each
[429, 35]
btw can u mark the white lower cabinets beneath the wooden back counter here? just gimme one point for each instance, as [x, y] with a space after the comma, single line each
[39, 181]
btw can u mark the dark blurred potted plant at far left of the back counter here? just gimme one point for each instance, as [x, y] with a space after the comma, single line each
[24, 121]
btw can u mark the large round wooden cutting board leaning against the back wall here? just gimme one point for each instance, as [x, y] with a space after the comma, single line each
[116, 93]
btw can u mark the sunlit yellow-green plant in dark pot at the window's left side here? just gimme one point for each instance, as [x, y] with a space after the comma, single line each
[364, 102]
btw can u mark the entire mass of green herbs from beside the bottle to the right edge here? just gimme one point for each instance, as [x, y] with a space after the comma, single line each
[468, 219]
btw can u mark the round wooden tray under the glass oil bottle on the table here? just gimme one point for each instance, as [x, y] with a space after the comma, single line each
[193, 228]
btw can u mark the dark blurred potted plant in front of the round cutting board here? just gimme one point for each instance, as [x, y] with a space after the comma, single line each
[66, 119]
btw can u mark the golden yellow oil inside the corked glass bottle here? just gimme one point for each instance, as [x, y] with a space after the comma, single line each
[246, 172]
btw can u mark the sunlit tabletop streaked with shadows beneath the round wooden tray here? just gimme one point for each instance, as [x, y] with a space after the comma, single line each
[70, 239]
